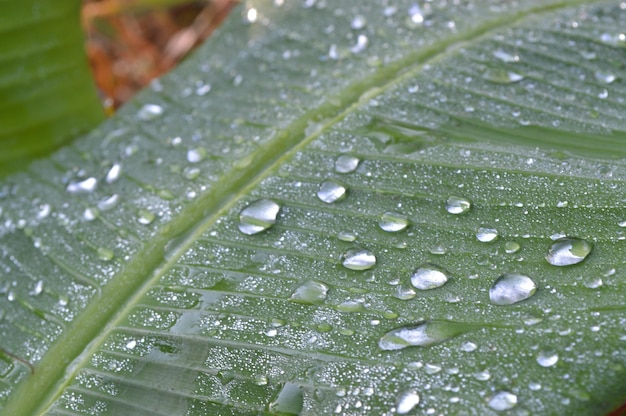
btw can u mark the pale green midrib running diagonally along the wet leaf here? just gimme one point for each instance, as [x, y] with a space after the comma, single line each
[90, 328]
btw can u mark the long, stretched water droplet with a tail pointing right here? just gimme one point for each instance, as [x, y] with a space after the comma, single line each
[424, 334]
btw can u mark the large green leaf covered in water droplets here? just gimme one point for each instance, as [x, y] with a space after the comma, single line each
[337, 208]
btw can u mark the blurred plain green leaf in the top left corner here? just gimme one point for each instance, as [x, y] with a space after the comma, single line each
[47, 95]
